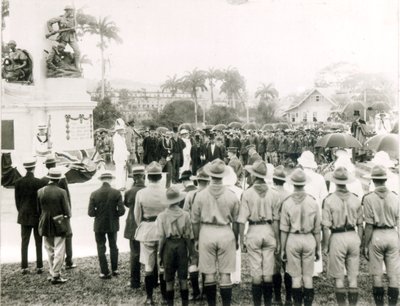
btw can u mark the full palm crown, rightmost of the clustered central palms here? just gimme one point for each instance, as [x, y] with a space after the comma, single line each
[233, 85]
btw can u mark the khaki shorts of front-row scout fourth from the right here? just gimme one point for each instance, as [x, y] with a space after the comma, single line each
[261, 245]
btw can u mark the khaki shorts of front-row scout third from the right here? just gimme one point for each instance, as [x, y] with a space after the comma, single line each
[300, 252]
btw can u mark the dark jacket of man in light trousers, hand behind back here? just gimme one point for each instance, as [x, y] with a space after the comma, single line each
[52, 201]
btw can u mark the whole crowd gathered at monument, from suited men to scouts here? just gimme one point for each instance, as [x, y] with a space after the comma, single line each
[225, 193]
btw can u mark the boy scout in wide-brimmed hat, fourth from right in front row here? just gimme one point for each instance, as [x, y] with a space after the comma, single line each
[260, 206]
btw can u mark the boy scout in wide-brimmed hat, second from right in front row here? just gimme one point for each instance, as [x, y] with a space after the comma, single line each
[341, 214]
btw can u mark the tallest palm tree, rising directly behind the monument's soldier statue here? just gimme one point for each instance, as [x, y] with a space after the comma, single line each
[107, 31]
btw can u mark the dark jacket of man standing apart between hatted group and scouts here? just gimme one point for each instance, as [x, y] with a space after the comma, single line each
[106, 207]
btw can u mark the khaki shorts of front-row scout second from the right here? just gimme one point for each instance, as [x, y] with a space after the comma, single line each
[344, 252]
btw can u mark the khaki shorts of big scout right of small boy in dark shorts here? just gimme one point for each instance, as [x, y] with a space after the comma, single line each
[217, 247]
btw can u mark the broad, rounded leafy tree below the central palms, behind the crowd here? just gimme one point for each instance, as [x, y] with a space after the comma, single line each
[176, 113]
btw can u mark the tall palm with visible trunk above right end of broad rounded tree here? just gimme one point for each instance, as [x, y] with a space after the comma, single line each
[191, 83]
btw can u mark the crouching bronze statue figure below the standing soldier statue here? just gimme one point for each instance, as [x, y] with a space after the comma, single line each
[61, 63]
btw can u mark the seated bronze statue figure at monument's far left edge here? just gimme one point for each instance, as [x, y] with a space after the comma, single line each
[17, 65]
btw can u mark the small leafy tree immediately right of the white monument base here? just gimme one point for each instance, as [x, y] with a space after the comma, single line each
[105, 114]
